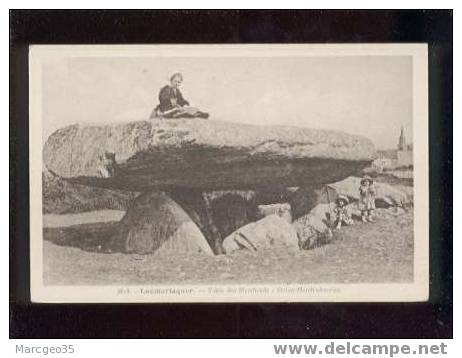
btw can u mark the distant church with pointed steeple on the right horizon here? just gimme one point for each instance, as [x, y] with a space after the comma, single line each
[394, 158]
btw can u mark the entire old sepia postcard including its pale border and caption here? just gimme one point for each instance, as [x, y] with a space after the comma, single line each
[229, 173]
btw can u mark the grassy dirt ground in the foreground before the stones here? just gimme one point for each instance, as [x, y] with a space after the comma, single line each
[379, 252]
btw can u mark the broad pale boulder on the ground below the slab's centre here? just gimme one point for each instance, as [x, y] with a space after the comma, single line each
[271, 232]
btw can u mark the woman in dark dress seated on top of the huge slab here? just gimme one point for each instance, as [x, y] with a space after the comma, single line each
[172, 103]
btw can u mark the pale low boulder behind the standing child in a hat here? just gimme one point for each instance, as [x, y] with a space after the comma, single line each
[386, 195]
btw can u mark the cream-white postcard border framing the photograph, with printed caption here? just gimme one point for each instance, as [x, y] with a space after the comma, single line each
[416, 291]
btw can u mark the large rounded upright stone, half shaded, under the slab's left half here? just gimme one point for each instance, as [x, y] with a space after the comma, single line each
[155, 222]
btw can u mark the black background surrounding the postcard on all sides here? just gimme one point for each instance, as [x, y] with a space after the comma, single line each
[432, 319]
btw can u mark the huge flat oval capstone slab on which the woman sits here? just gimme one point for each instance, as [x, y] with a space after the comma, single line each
[203, 154]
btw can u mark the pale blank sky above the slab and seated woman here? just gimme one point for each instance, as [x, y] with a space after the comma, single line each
[367, 95]
